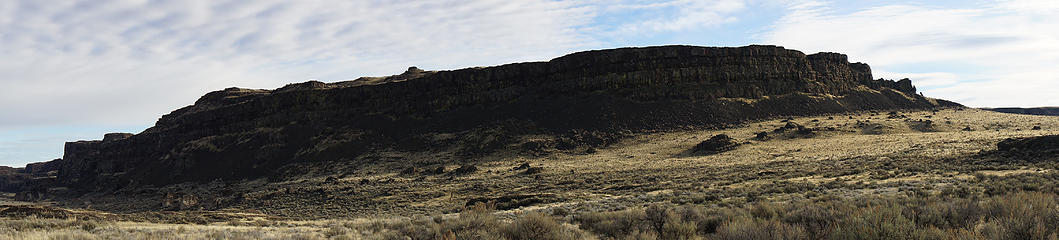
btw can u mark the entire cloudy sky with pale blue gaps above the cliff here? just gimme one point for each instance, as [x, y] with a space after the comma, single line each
[77, 69]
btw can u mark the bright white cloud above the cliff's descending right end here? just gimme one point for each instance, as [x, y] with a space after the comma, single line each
[998, 53]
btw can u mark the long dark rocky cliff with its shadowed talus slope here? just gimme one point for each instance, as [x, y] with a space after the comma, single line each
[239, 134]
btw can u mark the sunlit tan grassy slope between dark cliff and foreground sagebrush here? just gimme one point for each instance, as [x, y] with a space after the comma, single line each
[637, 170]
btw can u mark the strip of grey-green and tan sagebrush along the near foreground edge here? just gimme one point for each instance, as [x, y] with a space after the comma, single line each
[1013, 216]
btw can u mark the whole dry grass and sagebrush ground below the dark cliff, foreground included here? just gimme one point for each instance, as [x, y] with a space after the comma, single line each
[891, 179]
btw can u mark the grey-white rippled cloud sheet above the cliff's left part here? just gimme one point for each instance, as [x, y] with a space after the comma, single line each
[130, 62]
